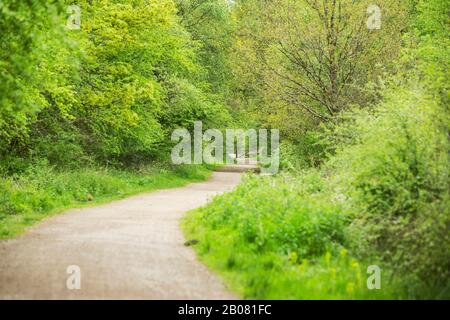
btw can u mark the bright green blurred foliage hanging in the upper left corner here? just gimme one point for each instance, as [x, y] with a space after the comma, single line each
[33, 61]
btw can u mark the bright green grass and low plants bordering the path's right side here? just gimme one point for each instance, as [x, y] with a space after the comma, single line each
[267, 242]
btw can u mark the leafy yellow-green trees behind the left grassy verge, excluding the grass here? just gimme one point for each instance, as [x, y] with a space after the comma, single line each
[112, 91]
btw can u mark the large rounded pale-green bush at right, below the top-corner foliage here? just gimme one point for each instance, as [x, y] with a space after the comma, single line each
[395, 177]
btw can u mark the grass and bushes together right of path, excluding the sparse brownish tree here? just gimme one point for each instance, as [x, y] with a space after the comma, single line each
[381, 194]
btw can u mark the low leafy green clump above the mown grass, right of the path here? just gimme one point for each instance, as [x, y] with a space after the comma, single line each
[268, 216]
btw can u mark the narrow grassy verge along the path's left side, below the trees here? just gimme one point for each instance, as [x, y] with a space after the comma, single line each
[42, 191]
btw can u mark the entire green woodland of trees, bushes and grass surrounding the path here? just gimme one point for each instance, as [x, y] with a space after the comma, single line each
[91, 91]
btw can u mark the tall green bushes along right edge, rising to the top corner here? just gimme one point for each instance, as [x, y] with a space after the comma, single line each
[394, 171]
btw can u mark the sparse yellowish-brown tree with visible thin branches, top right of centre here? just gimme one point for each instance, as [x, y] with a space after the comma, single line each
[319, 55]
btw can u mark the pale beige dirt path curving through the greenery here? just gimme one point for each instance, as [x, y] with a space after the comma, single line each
[127, 249]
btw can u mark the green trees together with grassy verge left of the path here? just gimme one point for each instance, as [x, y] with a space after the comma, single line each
[86, 113]
